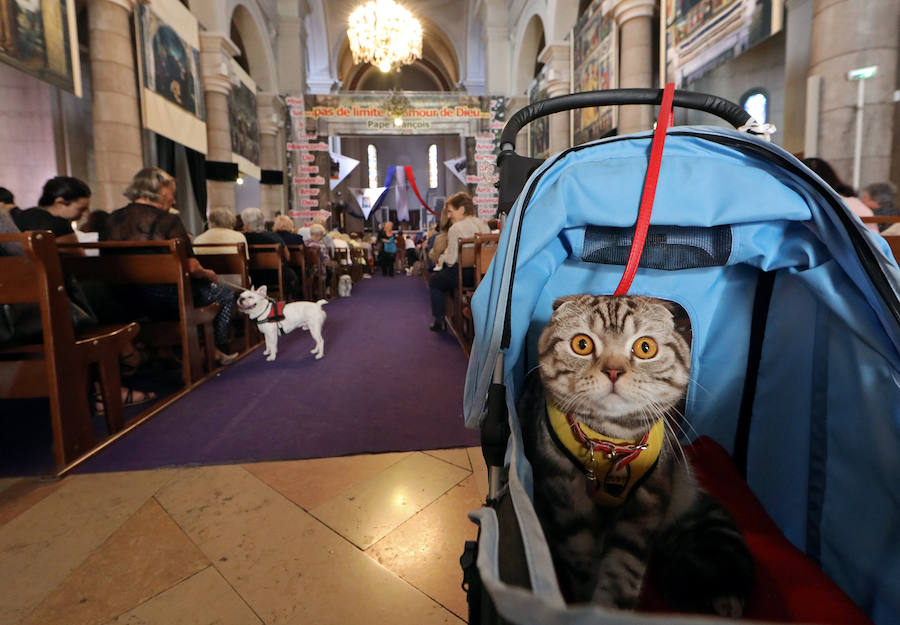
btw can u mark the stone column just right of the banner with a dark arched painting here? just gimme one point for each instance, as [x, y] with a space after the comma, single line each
[216, 51]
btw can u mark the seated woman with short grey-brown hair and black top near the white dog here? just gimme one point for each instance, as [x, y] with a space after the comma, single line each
[147, 218]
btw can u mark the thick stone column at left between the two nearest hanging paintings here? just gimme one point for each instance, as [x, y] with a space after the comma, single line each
[116, 114]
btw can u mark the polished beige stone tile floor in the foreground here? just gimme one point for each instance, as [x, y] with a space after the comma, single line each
[360, 539]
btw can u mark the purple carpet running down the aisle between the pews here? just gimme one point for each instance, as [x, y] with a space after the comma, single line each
[386, 383]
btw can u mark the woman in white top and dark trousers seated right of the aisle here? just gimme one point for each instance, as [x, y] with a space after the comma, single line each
[464, 223]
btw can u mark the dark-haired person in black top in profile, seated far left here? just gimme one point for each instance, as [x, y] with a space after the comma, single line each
[63, 200]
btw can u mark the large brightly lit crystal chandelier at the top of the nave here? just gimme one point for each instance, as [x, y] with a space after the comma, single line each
[383, 33]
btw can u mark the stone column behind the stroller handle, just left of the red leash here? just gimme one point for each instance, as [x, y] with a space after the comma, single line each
[634, 19]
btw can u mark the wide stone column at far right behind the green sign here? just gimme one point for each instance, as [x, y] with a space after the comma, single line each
[847, 35]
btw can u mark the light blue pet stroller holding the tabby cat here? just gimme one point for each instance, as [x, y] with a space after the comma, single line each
[795, 316]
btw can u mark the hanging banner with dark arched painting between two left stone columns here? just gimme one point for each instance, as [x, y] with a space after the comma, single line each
[168, 47]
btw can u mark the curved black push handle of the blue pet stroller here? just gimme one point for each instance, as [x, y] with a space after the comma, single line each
[729, 111]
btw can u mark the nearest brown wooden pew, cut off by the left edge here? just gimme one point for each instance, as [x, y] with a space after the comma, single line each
[58, 366]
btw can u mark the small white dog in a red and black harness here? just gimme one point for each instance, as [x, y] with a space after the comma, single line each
[273, 320]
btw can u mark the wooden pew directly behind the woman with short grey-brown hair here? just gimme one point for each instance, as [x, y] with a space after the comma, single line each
[127, 263]
